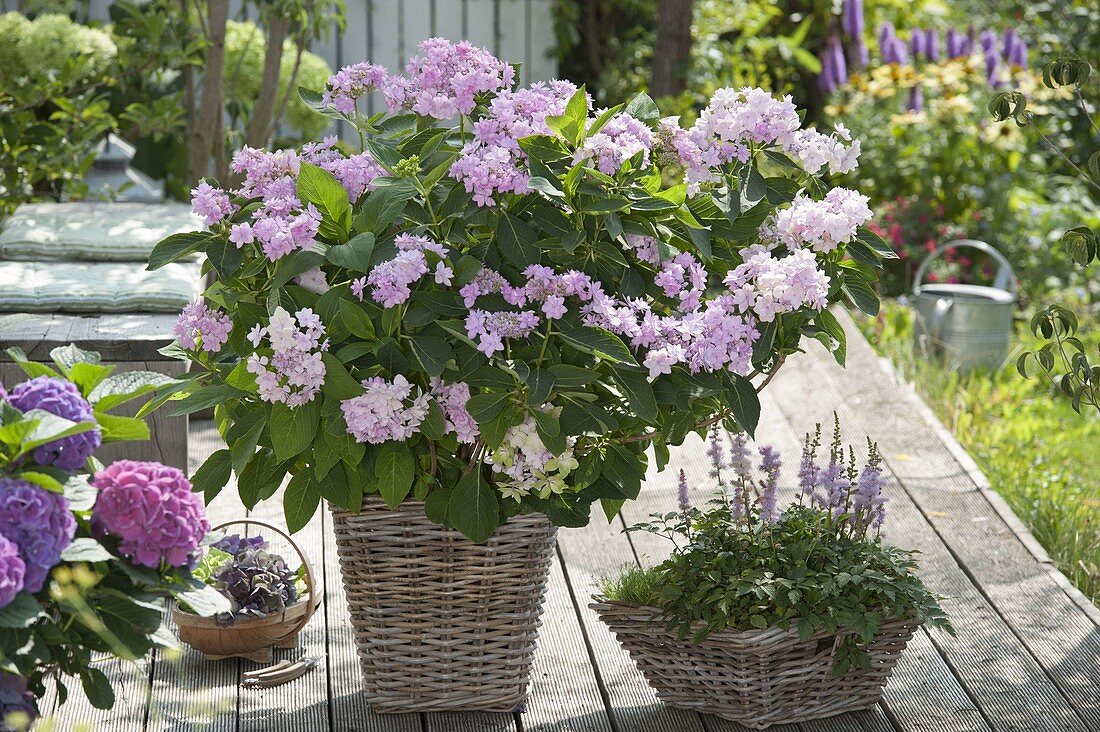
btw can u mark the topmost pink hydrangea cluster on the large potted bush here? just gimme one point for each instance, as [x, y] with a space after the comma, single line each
[446, 79]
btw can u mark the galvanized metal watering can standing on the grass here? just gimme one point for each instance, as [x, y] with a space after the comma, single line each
[969, 326]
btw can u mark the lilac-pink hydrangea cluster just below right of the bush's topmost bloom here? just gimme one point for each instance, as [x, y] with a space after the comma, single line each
[493, 162]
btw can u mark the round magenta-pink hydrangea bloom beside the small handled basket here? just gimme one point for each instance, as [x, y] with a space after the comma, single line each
[152, 511]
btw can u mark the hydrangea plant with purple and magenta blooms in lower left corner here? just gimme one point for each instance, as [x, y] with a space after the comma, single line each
[89, 555]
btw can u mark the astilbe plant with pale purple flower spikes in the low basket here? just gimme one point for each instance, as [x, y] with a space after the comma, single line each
[818, 565]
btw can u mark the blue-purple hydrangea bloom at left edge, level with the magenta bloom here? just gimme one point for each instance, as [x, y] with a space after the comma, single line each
[40, 523]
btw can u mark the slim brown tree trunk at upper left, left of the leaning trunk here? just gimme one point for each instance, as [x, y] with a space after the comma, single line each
[205, 124]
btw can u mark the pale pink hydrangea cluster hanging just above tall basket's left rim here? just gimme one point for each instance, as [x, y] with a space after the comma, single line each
[388, 410]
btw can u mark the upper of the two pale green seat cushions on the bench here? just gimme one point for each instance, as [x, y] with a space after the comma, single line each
[93, 232]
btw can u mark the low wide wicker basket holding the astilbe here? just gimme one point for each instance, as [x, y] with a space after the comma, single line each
[758, 679]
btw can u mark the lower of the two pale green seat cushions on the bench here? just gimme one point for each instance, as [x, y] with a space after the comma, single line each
[96, 288]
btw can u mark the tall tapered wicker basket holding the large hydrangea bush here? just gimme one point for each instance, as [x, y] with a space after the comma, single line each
[443, 624]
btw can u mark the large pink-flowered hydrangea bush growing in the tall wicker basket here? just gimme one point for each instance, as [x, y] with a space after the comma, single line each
[500, 304]
